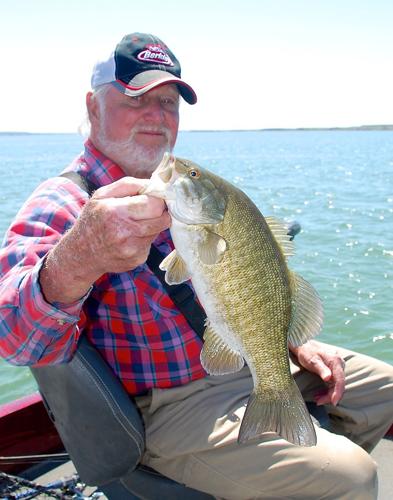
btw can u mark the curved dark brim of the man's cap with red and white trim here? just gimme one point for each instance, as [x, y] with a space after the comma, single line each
[148, 80]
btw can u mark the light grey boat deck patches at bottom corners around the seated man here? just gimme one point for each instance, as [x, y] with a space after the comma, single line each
[383, 455]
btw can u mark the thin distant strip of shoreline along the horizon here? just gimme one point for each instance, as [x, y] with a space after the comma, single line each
[361, 128]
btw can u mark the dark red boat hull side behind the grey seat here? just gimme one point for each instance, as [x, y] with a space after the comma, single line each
[26, 429]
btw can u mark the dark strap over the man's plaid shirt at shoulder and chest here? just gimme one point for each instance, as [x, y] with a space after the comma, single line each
[181, 295]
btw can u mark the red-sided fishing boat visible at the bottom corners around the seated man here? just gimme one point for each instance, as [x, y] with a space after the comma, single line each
[30, 445]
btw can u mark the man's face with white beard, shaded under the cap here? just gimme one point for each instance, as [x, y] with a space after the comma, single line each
[135, 132]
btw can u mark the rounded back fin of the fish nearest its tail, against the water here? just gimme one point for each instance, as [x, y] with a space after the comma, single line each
[307, 311]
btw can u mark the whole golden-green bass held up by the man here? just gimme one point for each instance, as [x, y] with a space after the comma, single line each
[236, 260]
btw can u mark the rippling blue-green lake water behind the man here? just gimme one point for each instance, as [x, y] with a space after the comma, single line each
[337, 184]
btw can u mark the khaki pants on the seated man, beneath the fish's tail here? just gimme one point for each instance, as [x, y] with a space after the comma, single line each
[191, 437]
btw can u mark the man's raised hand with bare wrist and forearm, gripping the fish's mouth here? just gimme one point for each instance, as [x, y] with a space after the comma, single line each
[113, 234]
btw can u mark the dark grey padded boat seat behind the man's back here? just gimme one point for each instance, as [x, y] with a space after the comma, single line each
[102, 430]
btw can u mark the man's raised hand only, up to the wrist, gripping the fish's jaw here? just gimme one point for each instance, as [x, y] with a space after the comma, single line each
[121, 225]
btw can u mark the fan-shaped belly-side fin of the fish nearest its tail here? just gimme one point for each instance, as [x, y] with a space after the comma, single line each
[216, 357]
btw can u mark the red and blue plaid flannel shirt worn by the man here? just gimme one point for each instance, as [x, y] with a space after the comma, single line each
[128, 316]
